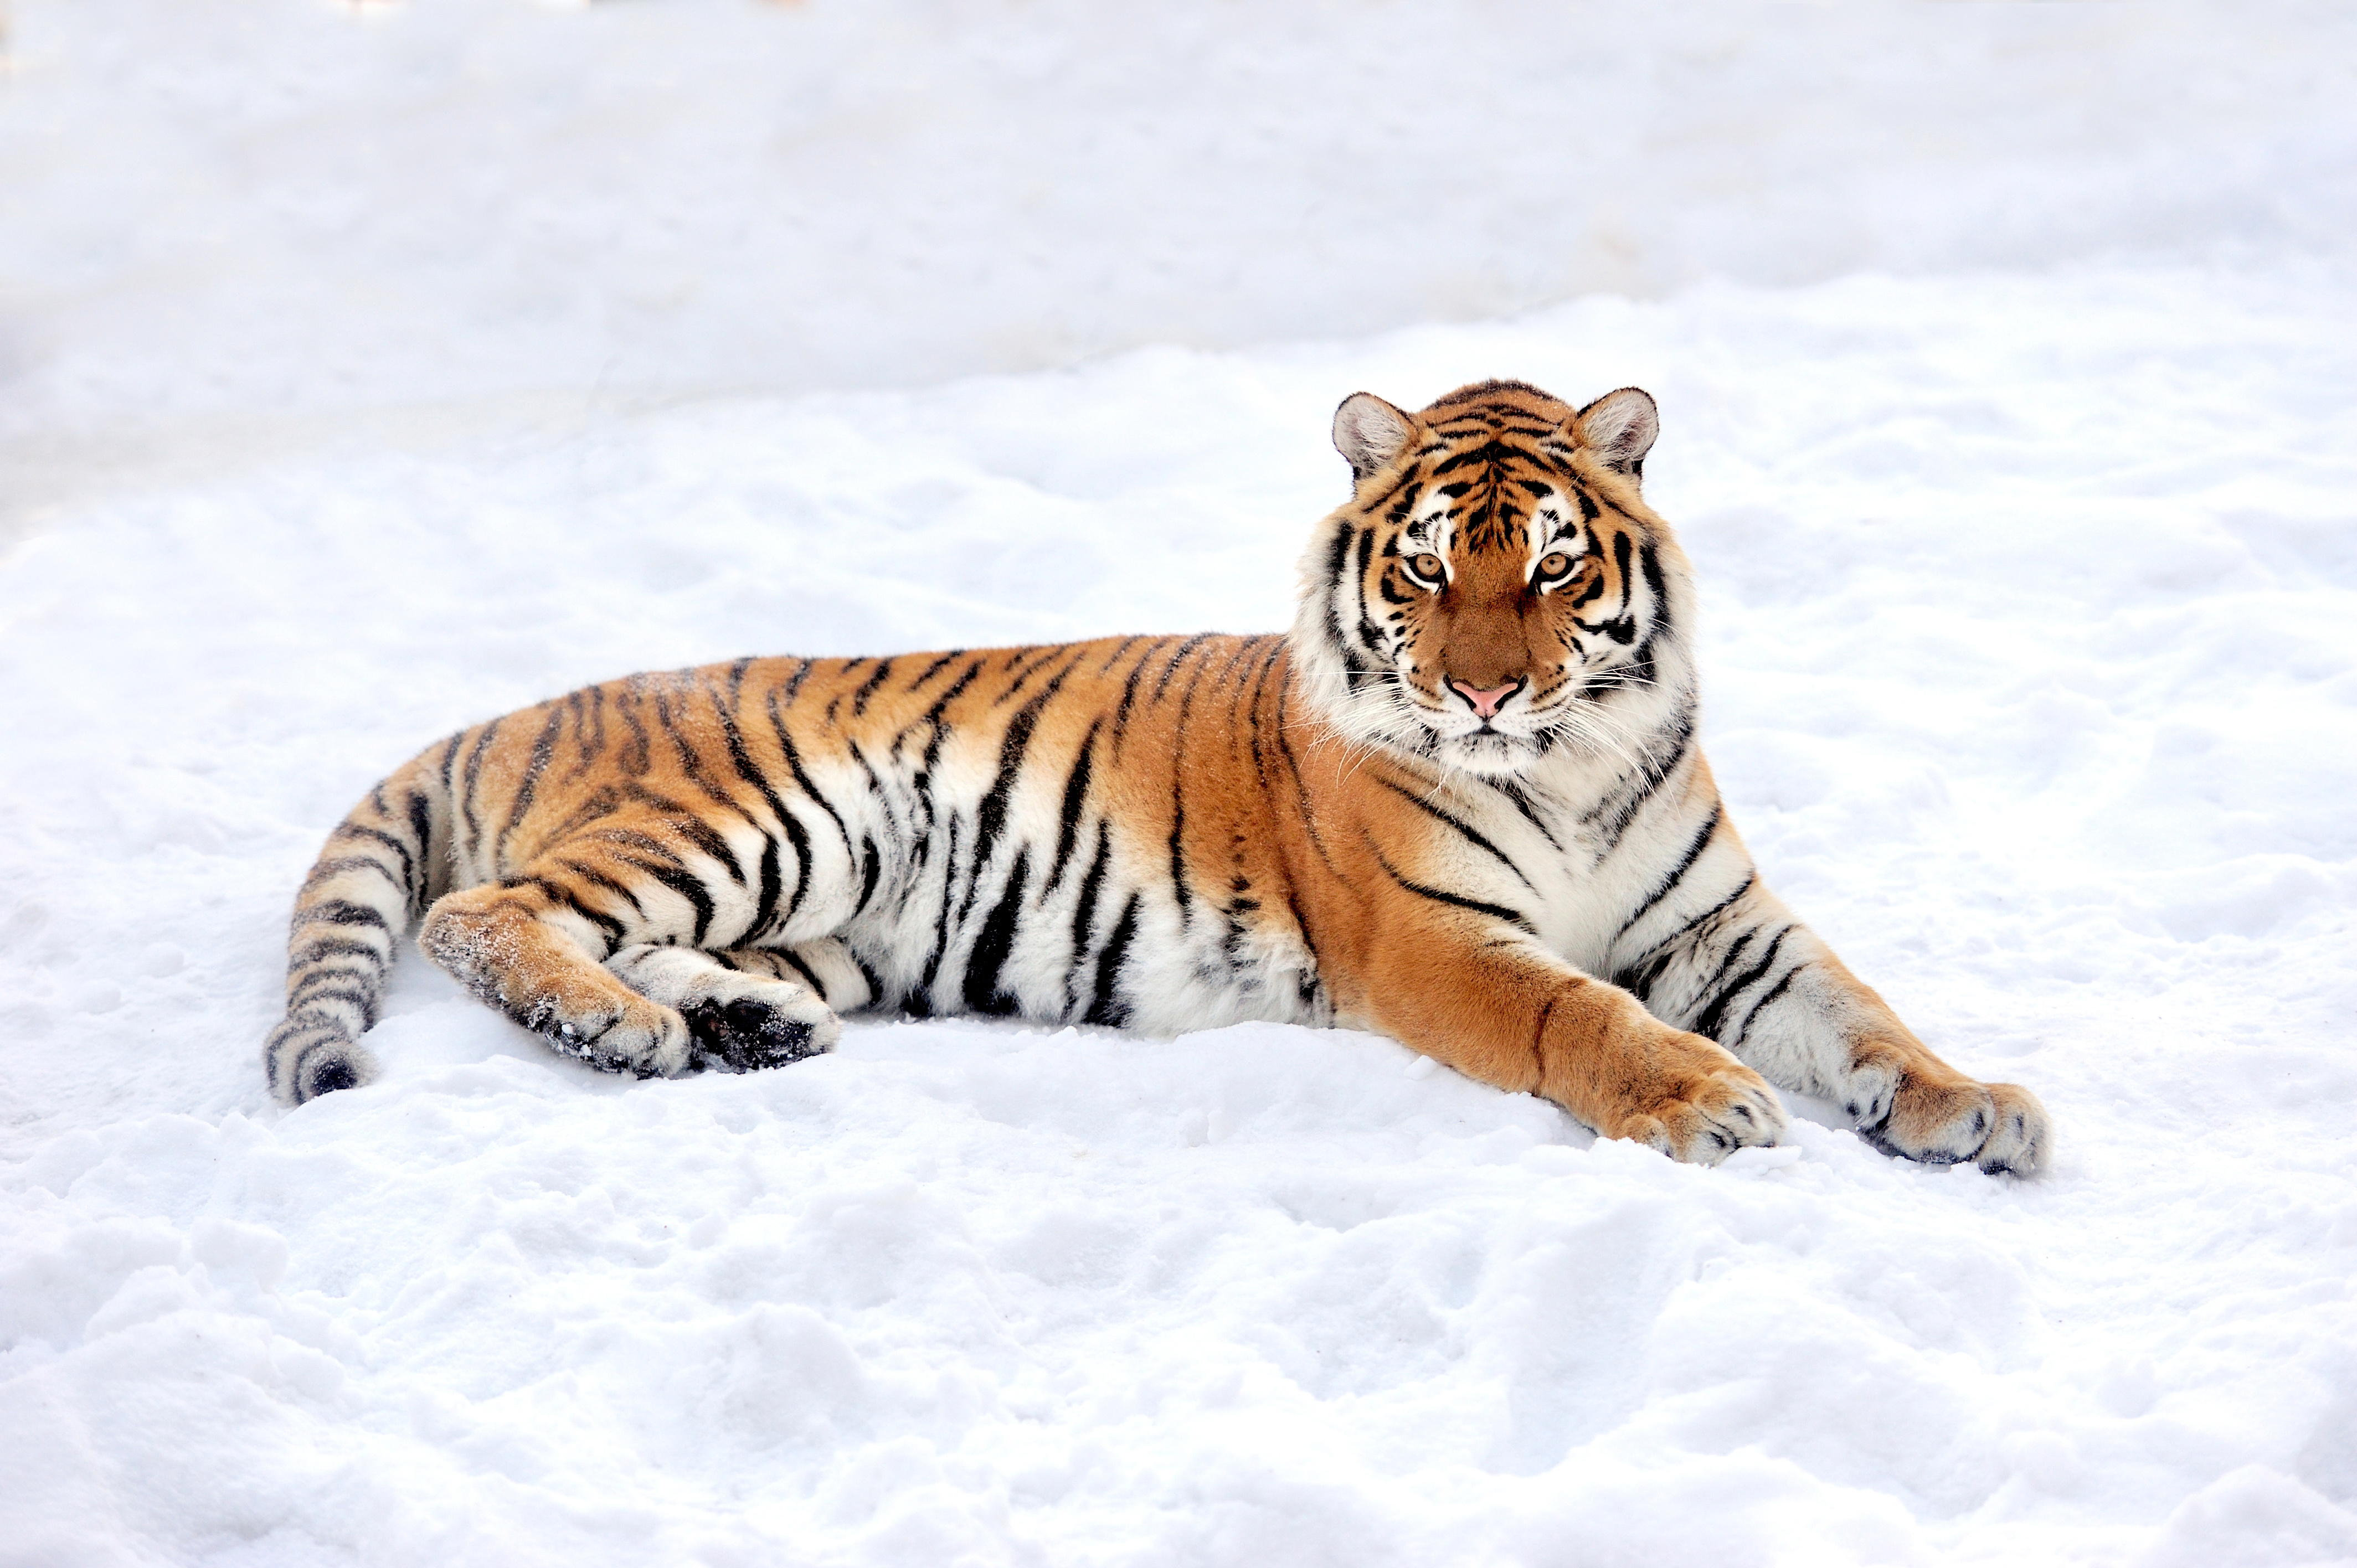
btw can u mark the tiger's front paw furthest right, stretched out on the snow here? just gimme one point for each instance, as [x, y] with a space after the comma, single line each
[1922, 1109]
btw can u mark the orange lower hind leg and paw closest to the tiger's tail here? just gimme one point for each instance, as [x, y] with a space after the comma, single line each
[536, 954]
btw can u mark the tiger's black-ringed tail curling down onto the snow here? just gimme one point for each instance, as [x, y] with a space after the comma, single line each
[383, 867]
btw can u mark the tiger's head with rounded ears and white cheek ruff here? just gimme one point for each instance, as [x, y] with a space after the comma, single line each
[1496, 591]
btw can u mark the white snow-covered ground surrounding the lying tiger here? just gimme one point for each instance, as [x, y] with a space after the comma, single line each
[2007, 397]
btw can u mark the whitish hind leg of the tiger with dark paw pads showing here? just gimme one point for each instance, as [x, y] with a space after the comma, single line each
[755, 1008]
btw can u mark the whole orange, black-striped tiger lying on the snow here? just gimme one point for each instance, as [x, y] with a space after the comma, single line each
[1460, 803]
